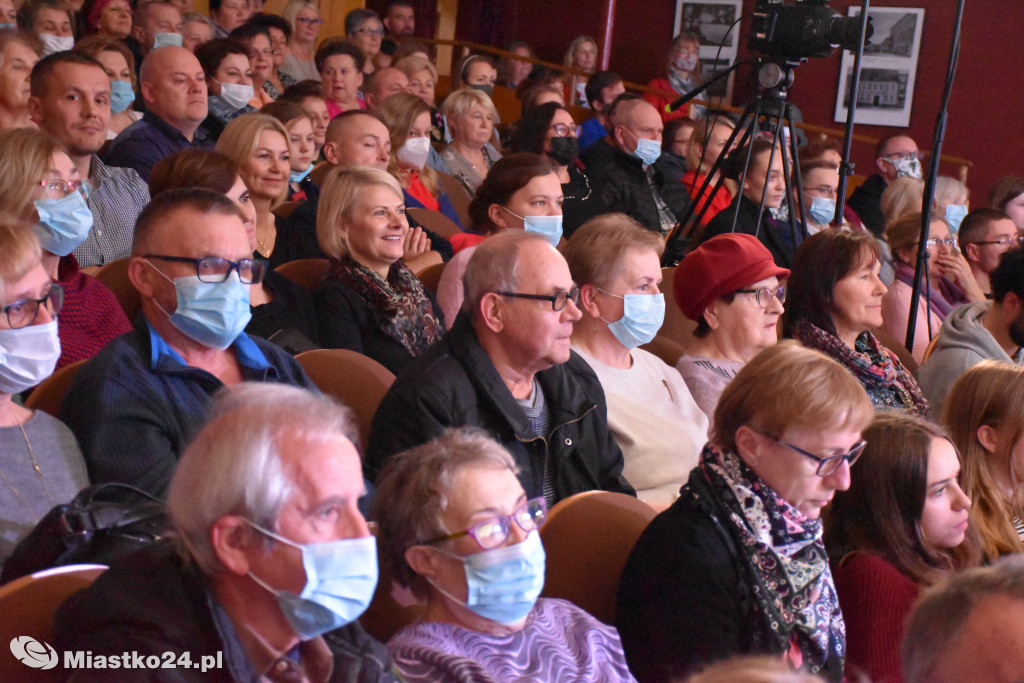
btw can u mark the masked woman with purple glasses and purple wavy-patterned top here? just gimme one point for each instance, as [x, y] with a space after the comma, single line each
[457, 530]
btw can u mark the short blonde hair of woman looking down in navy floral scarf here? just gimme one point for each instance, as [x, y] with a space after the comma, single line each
[788, 387]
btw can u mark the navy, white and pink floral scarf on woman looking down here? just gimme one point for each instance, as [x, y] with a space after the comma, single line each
[786, 561]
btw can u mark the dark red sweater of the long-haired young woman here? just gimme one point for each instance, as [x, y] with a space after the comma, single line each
[876, 600]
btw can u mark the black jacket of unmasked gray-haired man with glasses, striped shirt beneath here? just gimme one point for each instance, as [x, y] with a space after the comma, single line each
[455, 385]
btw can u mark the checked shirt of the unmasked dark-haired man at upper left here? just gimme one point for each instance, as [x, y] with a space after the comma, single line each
[116, 204]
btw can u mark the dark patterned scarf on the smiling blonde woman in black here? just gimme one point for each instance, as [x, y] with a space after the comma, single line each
[404, 310]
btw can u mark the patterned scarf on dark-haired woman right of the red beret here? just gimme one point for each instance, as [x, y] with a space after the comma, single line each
[888, 383]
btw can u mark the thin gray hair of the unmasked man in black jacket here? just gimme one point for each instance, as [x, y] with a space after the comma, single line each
[494, 268]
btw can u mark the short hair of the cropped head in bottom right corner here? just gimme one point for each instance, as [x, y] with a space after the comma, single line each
[941, 615]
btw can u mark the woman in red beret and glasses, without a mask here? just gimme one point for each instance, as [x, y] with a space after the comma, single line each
[730, 286]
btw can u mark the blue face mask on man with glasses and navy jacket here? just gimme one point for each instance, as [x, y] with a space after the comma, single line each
[211, 314]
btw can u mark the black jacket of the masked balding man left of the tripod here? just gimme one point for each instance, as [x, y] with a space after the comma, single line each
[626, 190]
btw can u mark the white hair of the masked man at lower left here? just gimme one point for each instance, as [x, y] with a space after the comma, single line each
[236, 466]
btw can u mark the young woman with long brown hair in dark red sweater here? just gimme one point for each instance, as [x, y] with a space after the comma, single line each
[903, 526]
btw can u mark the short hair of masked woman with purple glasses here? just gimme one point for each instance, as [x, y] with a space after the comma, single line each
[415, 490]
